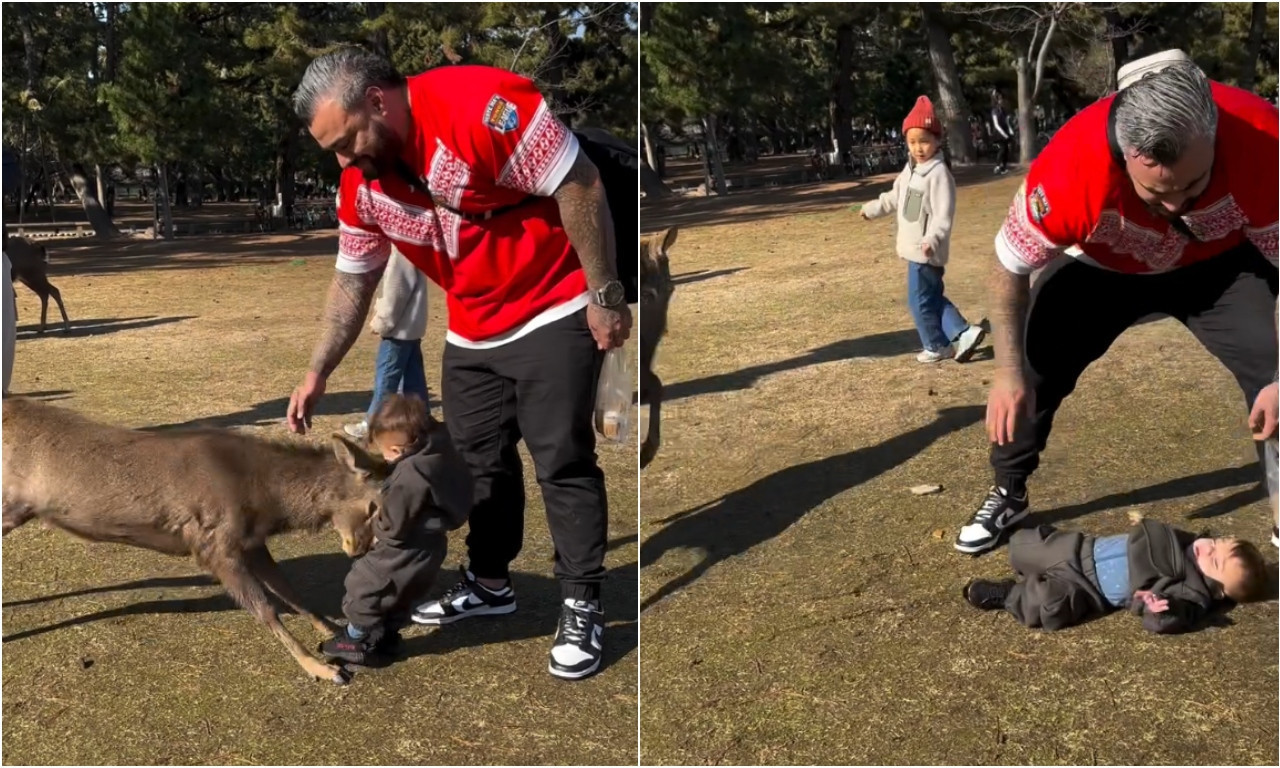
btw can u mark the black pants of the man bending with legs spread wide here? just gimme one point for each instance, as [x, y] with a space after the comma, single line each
[1228, 303]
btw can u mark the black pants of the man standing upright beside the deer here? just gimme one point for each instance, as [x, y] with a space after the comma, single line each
[542, 390]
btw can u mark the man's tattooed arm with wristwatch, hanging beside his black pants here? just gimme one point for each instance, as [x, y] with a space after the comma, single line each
[586, 216]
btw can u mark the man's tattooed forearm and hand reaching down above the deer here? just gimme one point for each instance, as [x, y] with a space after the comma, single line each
[350, 296]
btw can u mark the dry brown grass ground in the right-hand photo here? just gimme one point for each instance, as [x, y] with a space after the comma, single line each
[804, 607]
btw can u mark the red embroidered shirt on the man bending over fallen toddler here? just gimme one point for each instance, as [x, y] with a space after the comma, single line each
[1078, 200]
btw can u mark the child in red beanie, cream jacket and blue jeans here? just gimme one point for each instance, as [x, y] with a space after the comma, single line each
[925, 198]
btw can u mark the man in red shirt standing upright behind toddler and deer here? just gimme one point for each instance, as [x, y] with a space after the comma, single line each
[486, 191]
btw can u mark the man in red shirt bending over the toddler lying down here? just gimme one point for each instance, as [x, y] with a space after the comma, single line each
[1160, 199]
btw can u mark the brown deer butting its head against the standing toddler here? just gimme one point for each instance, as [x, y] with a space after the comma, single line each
[208, 493]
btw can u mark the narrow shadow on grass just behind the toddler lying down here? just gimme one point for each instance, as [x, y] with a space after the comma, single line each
[1169, 491]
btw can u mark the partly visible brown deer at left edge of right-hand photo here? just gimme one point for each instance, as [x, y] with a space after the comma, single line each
[656, 290]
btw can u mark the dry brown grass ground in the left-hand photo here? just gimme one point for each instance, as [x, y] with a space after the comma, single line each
[168, 671]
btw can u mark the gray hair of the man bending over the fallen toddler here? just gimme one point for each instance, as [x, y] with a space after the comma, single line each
[1163, 115]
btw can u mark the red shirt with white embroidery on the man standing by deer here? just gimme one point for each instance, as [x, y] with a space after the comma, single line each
[483, 139]
